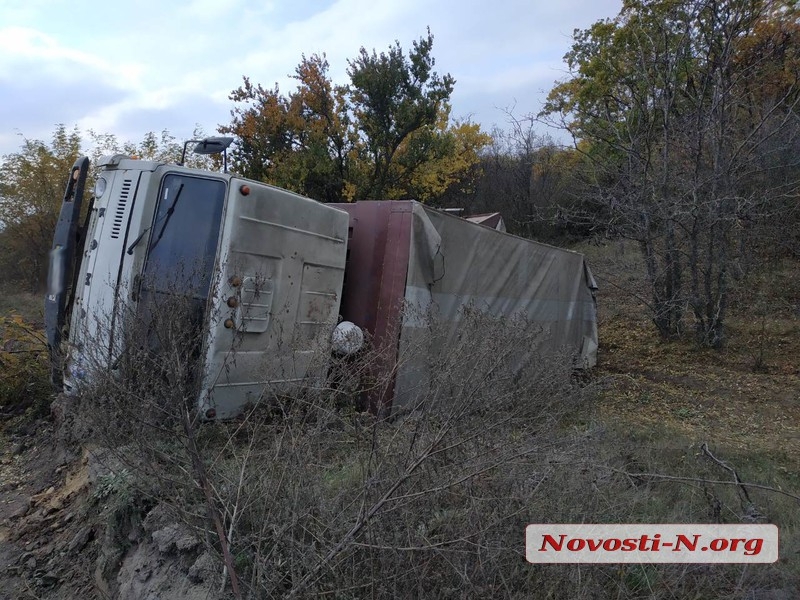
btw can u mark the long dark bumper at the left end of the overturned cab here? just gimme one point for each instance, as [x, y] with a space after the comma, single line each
[62, 259]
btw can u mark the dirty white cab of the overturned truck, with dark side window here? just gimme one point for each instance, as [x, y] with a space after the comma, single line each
[260, 269]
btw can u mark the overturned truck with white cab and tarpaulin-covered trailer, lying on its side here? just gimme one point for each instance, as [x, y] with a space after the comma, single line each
[275, 280]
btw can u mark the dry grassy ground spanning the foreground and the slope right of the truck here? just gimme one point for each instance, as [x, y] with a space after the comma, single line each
[318, 499]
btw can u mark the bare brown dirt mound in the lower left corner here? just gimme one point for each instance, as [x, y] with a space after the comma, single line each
[64, 534]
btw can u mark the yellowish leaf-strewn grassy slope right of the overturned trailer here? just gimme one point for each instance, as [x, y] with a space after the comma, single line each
[730, 399]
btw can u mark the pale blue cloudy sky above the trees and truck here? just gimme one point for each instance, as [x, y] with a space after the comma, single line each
[127, 68]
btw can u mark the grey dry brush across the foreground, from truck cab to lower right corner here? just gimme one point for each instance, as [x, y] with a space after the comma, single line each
[310, 496]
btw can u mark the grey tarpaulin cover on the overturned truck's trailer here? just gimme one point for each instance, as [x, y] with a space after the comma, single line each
[454, 263]
